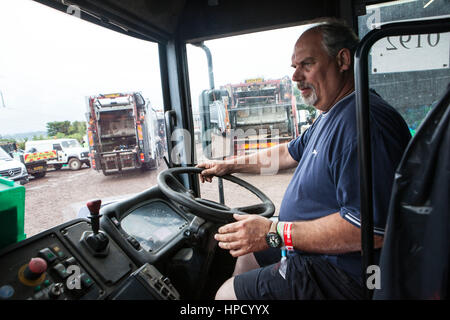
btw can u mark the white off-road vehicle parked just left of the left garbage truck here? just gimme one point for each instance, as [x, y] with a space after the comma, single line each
[69, 151]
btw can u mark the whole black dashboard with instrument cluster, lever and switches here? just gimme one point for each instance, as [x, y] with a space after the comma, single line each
[142, 244]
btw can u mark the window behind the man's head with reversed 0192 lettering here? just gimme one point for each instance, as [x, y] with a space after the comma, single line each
[411, 72]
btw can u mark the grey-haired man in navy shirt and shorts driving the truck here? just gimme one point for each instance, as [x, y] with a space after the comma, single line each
[319, 218]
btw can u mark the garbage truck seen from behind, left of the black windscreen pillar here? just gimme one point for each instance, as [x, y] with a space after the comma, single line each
[122, 133]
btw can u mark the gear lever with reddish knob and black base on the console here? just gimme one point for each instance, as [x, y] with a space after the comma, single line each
[96, 241]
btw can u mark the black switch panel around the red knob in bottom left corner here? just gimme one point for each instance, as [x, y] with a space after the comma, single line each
[45, 269]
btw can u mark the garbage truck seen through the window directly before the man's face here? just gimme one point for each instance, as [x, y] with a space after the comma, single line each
[257, 113]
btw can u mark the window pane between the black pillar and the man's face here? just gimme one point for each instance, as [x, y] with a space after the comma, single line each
[250, 103]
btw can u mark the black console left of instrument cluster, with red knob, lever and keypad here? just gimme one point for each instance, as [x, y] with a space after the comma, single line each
[59, 264]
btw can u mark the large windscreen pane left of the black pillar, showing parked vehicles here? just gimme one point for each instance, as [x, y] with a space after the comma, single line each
[50, 64]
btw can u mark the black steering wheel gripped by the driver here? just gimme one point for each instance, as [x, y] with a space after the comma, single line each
[208, 209]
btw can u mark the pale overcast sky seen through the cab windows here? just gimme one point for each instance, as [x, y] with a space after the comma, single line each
[50, 61]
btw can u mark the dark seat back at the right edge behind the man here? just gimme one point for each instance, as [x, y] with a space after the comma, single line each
[415, 258]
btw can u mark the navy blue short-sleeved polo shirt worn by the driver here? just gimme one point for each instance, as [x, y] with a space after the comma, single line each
[326, 179]
